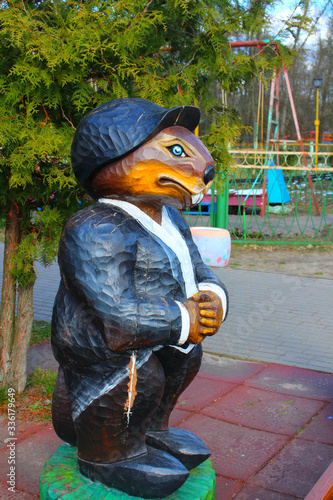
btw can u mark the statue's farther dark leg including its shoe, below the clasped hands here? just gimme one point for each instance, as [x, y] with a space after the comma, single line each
[180, 369]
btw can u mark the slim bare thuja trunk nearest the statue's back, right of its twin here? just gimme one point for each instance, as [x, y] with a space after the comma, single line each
[25, 314]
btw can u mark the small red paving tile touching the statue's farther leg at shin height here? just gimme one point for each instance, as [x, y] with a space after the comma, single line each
[201, 392]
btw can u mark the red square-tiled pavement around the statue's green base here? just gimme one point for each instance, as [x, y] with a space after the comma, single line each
[269, 428]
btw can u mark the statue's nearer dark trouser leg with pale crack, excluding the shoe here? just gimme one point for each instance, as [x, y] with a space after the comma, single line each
[113, 426]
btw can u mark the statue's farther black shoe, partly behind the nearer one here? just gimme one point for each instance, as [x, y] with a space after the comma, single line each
[183, 445]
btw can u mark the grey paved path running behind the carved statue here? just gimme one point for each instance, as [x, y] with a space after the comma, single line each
[273, 317]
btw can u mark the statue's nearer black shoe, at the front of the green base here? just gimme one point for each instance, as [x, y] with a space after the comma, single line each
[155, 474]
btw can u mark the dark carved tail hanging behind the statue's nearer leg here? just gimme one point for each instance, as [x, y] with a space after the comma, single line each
[61, 411]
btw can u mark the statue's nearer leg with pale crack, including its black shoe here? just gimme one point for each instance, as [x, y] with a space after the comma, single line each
[111, 435]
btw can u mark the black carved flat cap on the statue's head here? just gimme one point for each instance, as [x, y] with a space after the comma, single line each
[116, 128]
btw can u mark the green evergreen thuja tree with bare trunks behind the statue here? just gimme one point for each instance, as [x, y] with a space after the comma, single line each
[58, 60]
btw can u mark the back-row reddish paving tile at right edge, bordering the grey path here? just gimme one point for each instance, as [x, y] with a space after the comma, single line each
[294, 381]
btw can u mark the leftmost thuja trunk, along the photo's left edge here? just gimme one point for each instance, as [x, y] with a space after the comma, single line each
[8, 296]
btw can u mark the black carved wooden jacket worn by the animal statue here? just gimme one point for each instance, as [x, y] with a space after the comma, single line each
[118, 293]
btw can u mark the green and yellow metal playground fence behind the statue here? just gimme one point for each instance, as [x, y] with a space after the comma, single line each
[263, 203]
